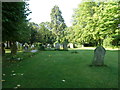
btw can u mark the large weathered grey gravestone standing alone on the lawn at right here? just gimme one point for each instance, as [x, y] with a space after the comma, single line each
[99, 54]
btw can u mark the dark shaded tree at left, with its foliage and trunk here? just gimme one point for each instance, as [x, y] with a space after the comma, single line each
[14, 22]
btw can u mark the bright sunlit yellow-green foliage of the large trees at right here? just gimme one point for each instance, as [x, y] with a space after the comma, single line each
[95, 21]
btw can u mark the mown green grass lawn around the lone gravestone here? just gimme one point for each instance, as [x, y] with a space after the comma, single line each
[47, 69]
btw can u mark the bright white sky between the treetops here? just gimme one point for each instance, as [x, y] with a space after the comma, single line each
[41, 9]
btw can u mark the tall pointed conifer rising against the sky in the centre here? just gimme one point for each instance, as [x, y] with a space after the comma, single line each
[57, 23]
